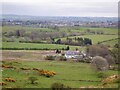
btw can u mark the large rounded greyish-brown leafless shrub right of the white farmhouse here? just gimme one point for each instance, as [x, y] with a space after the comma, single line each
[99, 63]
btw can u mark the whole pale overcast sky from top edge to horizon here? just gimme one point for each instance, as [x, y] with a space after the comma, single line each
[99, 8]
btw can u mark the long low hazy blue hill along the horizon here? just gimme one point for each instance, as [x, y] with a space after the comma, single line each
[65, 18]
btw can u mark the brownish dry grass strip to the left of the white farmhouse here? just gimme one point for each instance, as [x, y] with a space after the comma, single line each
[25, 55]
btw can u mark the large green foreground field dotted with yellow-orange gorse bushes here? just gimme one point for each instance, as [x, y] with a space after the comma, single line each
[68, 73]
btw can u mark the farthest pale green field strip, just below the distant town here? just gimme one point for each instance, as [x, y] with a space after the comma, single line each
[65, 29]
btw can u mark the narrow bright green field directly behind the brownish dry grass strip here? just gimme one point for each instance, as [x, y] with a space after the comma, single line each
[16, 45]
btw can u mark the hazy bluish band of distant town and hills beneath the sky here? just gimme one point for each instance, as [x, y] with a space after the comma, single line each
[54, 22]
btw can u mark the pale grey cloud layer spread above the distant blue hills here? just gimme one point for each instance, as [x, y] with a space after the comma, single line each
[79, 9]
